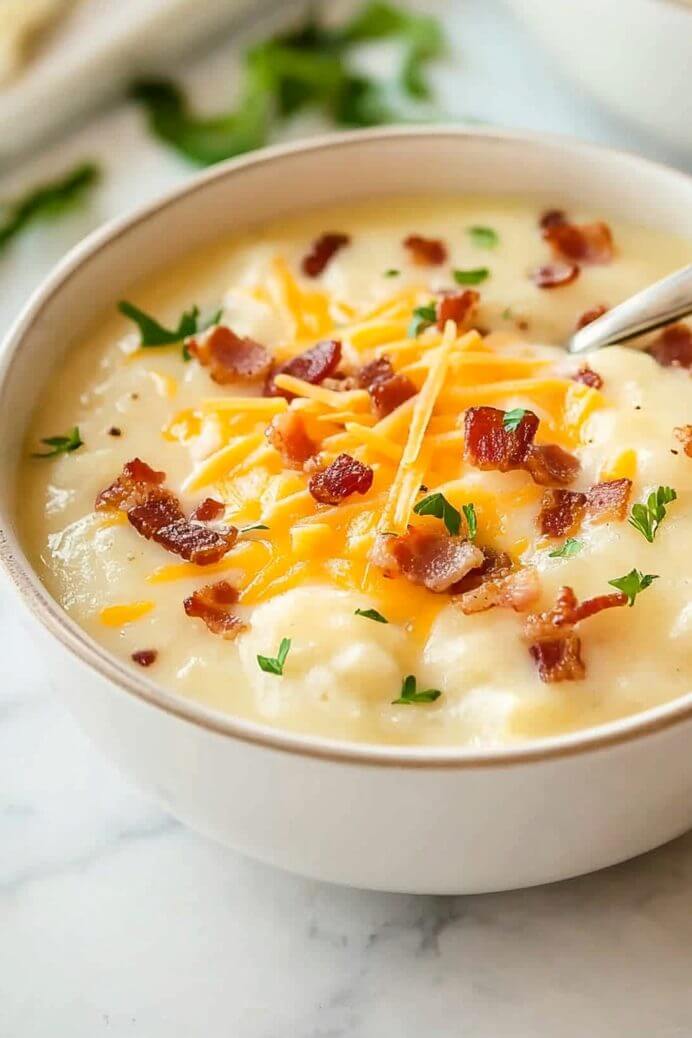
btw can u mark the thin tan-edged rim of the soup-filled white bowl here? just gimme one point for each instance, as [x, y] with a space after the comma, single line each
[47, 611]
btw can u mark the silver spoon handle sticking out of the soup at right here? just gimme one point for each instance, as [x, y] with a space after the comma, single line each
[659, 305]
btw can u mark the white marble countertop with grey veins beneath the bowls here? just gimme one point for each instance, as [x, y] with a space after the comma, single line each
[117, 921]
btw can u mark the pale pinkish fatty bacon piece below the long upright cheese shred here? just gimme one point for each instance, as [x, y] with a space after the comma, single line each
[436, 561]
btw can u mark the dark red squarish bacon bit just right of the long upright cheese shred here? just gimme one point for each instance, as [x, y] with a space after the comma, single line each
[489, 446]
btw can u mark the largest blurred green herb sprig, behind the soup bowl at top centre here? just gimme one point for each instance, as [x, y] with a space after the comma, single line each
[306, 68]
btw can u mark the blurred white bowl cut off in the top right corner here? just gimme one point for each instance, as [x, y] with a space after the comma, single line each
[633, 56]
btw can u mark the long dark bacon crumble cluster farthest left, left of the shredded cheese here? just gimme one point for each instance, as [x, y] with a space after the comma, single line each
[156, 514]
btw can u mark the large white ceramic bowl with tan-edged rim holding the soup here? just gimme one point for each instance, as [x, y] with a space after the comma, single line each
[434, 821]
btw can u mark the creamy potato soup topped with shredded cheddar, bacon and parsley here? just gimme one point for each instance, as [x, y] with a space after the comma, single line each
[339, 476]
